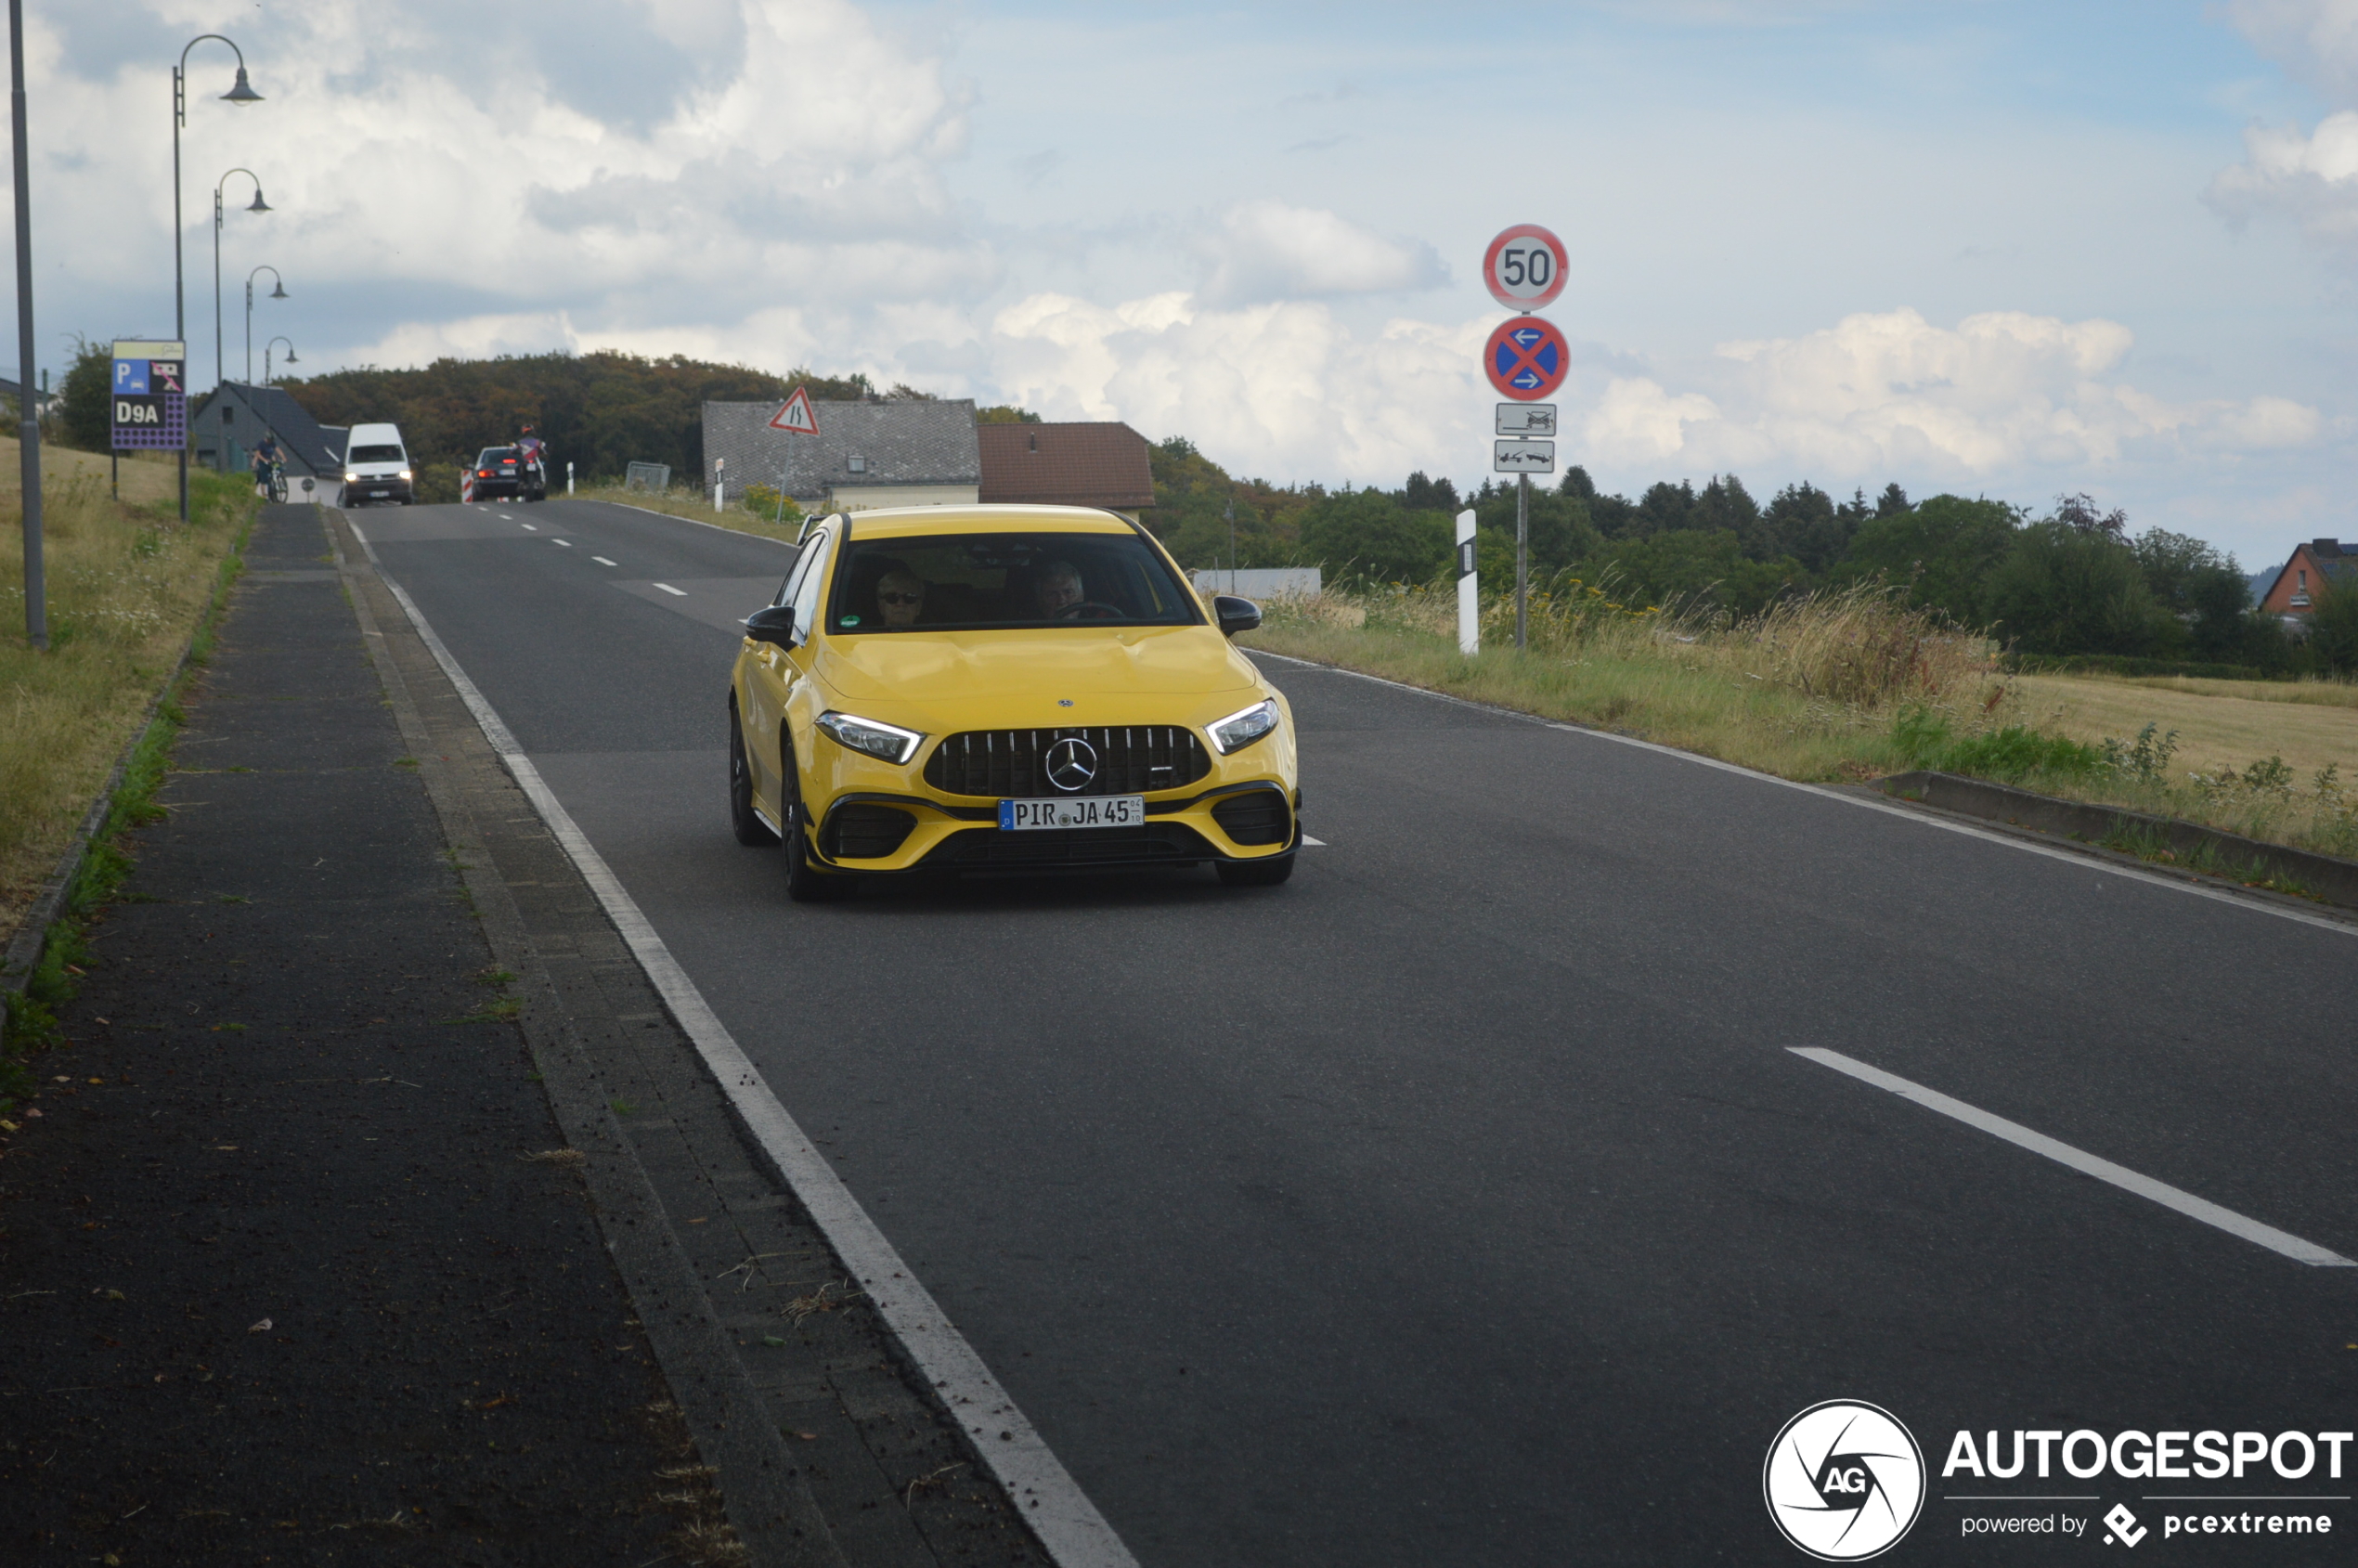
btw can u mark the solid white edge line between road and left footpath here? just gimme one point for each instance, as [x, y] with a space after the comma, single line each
[1065, 1520]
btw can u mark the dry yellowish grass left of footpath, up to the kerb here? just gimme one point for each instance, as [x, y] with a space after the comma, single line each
[126, 591]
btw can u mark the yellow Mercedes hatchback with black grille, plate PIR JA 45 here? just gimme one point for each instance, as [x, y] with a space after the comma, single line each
[1003, 690]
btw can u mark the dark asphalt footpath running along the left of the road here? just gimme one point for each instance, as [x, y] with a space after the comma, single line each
[298, 1265]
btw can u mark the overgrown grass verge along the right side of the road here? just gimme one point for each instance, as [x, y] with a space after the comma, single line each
[1843, 687]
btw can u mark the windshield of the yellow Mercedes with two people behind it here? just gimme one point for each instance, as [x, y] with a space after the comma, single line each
[977, 581]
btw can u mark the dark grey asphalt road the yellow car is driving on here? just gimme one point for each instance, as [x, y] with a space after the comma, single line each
[1470, 1199]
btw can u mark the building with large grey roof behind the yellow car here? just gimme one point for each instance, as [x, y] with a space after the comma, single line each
[874, 454]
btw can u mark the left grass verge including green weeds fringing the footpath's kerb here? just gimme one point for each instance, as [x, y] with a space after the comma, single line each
[129, 591]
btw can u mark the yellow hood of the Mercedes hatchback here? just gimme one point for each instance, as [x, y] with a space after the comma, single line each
[1065, 664]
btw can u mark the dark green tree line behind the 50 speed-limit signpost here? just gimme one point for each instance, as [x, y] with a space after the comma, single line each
[2067, 584]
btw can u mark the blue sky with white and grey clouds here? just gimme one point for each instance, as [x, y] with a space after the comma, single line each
[1980, 246]
